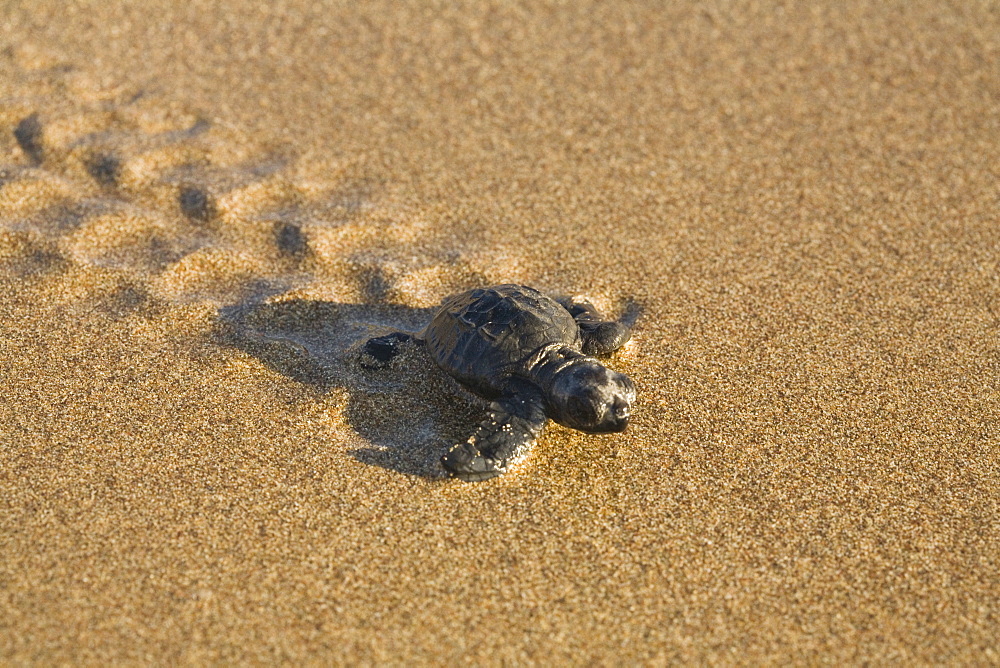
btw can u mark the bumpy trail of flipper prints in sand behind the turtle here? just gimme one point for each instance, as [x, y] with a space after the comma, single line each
[192, 211]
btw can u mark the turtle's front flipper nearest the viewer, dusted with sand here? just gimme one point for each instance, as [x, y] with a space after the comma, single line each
[514, 422]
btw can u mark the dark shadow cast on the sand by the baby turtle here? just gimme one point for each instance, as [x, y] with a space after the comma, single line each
[410, 412]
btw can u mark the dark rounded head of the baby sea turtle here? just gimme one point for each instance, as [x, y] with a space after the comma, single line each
[588, 396]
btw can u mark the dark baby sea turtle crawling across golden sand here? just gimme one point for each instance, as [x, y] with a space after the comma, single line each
[530, 355]
